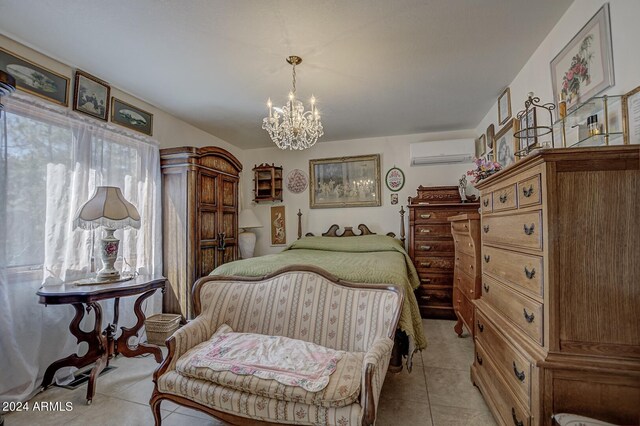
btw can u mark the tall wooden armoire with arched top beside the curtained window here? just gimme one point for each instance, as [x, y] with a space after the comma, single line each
[199, 218]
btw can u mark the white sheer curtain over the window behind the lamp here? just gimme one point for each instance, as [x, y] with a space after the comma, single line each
[54, 160]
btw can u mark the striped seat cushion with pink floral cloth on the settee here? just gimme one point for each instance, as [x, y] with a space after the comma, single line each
[333, 382]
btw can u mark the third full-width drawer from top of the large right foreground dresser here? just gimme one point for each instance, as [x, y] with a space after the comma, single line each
[524, 312]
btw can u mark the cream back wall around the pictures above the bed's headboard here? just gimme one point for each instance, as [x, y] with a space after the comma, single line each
[393, 151]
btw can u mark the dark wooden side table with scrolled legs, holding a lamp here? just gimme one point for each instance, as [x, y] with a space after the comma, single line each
[103, 345]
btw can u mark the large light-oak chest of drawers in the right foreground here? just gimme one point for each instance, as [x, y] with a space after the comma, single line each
[558, 323]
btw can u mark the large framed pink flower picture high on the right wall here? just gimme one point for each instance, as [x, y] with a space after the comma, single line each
[584, 67]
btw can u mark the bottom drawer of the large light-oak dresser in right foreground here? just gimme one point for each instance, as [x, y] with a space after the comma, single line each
[509, 409]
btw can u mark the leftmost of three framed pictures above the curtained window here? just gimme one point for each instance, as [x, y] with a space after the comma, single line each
[34, 79]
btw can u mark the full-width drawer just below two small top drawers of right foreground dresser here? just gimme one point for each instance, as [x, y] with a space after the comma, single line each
[521, 230]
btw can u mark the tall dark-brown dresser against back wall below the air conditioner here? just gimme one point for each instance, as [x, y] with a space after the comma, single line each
[431, 246]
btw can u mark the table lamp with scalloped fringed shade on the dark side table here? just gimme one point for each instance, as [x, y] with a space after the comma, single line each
[107, 207]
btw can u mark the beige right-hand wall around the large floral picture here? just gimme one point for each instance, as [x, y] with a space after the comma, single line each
[535, 76]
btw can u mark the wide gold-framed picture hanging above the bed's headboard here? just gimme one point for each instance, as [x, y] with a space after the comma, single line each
[345, 182]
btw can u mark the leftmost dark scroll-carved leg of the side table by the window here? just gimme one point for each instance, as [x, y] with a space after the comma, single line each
[92, 338]
